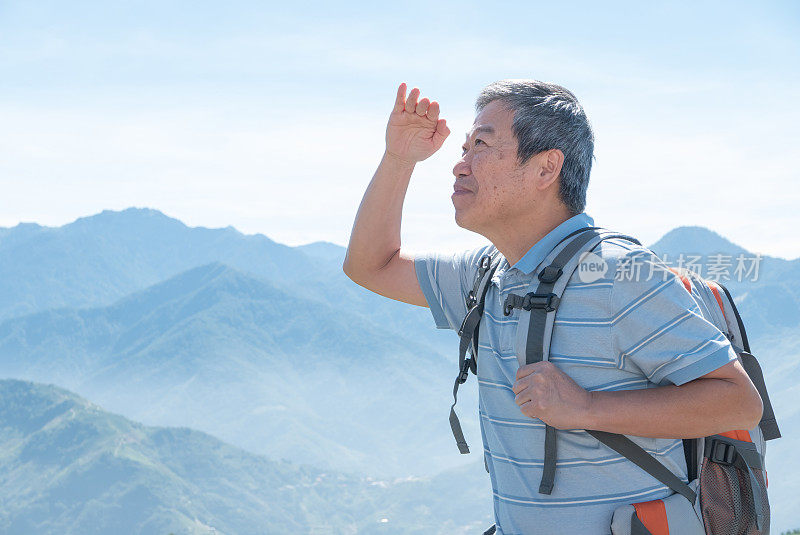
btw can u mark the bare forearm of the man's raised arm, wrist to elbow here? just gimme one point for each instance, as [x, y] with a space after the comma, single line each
[375, 237]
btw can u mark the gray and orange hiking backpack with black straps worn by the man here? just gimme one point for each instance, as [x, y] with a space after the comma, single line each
[727, 489]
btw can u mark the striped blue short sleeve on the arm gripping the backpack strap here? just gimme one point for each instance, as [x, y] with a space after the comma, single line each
[657, 326]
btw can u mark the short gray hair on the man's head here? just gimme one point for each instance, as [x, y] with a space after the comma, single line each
[548, 116]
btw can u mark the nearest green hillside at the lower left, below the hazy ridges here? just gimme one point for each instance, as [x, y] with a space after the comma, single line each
[68, 467]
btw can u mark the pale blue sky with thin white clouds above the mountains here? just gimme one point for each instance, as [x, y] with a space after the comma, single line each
[271, 117]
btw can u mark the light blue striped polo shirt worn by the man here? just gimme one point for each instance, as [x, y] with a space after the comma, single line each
[635, 326]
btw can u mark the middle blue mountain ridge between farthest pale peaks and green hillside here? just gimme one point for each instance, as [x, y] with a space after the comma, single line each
[238, 357]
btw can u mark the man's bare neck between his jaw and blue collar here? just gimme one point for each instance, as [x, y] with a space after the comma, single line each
[514, 239]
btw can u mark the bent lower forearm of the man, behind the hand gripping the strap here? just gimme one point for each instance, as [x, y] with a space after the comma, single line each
[698, 408]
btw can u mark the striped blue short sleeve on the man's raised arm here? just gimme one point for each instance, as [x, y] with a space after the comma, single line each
[446, 279]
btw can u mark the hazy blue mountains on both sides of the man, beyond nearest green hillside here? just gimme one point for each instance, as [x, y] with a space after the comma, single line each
[274, 350]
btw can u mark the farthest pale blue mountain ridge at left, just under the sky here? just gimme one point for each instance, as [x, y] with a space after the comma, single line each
[96, 260]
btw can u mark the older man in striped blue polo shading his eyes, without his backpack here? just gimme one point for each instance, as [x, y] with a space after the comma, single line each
[629, 355]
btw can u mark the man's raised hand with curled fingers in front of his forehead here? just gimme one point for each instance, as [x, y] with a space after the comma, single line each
[414, 131]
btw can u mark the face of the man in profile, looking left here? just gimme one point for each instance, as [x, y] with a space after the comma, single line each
[488, 169]
